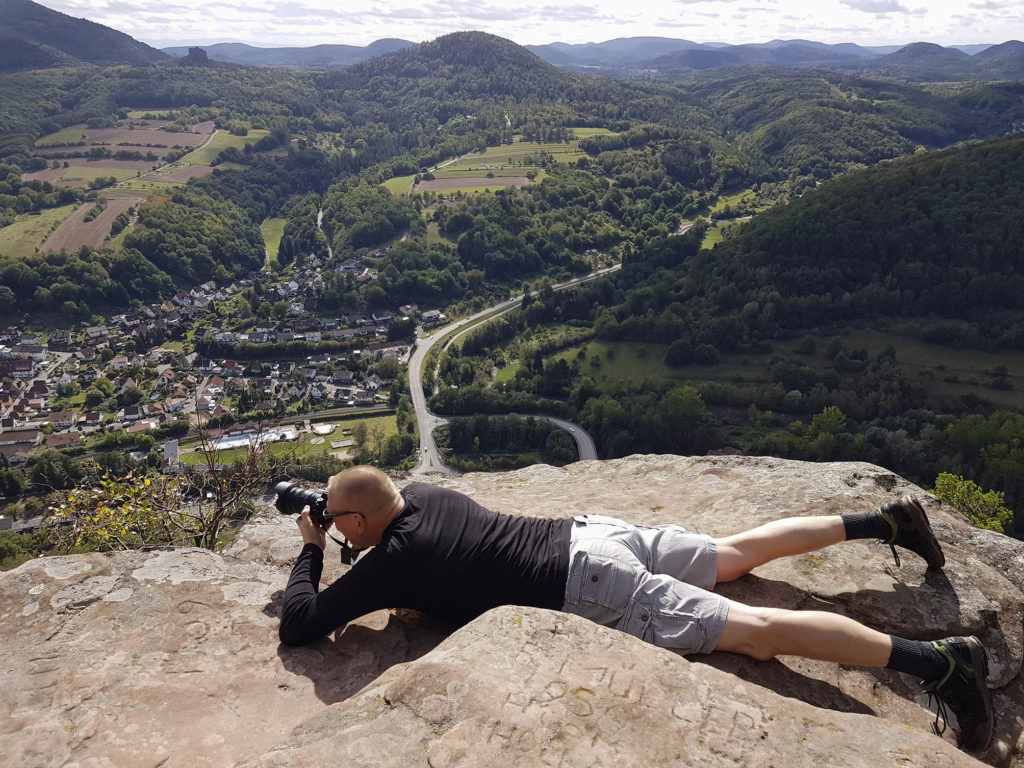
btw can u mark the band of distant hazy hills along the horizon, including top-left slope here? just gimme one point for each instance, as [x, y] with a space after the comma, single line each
[35, 37]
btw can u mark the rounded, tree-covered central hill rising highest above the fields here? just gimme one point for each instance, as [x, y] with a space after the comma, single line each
[494, 88]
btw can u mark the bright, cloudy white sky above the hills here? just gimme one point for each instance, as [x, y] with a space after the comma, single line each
[304, 23]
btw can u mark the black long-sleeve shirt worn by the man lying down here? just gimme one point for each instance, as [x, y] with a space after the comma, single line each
[444, 554]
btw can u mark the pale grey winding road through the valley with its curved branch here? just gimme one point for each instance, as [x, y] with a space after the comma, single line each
[431, 458]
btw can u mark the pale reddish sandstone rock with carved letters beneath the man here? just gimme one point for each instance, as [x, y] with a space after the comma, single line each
[170, 658]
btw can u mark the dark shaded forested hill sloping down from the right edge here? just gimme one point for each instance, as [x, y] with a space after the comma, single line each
[935, 235]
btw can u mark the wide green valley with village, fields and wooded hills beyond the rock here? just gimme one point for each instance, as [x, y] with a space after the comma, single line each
[807, 263]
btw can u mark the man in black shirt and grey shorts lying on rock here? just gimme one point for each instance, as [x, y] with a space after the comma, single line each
[438, 551]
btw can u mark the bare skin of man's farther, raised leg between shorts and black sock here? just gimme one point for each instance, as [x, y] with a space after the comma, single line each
[740, 553]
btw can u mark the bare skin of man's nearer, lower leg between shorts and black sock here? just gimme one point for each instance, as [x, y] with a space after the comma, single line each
[766, 633]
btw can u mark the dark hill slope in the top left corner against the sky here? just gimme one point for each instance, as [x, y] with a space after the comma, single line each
[35, 37]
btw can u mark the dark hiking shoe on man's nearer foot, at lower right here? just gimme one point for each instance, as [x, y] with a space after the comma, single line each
[963, 690]
